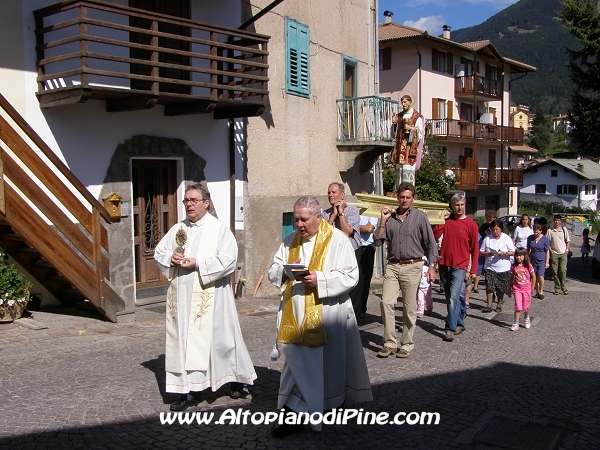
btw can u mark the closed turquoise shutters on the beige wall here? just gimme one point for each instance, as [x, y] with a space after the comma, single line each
[297, 58]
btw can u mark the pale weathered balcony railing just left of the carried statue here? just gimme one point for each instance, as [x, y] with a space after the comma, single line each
[366, 119]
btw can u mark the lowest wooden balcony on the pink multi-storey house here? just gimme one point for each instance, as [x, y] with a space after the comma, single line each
[470, 177]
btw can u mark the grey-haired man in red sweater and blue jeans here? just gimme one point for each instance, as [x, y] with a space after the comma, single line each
[460, 246]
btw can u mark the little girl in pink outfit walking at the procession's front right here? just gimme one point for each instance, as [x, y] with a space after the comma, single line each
[522, 281]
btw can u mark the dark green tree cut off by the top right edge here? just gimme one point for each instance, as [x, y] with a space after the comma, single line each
[581, 18]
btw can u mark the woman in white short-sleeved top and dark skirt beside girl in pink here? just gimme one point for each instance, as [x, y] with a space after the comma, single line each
[497, 247]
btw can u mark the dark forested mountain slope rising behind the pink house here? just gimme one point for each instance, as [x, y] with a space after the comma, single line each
[530, 31]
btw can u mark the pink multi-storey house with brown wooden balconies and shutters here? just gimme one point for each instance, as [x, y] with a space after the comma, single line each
[463, 91]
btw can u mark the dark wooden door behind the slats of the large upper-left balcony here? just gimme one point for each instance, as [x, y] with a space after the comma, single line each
[179, 8]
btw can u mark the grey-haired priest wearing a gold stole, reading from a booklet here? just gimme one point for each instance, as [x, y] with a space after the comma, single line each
[317, 330]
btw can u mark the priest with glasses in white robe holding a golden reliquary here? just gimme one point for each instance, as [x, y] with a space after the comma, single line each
[204, 343]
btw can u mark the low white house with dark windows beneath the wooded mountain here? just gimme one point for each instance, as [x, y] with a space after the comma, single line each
[572, 182]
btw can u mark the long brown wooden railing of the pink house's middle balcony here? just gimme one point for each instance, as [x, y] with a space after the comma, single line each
[461, 129]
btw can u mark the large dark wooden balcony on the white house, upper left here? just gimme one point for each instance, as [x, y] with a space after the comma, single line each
[135, 59]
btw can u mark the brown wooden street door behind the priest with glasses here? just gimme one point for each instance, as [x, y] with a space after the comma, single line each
[154, 213]
